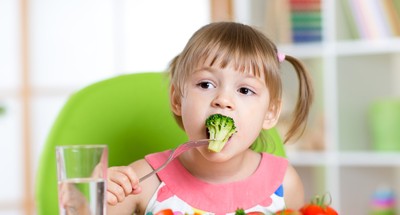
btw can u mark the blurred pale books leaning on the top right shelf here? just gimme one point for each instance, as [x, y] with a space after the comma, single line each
[372, 19]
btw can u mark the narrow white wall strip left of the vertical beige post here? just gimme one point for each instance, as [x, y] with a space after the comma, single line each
[10, 122]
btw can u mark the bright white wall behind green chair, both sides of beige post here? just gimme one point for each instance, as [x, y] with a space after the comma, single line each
[72, 44]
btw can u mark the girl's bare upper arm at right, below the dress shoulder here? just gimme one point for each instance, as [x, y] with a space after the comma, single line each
[293, 189]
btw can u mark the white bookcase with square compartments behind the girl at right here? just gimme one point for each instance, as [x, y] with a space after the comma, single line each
[349, 74]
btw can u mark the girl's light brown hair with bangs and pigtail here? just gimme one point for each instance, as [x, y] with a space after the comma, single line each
[221, 43]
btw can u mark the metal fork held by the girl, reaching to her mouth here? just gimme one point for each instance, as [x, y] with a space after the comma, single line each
[175, 153]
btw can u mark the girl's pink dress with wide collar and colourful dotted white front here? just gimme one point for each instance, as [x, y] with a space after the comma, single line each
[185, 194]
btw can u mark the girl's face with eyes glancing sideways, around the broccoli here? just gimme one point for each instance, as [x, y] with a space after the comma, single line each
[240, 95]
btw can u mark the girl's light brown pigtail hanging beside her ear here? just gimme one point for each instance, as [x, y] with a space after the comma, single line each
[304, 100]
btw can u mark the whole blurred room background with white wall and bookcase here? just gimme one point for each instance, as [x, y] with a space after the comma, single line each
[51, 48]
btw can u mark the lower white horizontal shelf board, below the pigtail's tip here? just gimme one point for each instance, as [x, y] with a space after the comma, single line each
[345, 159]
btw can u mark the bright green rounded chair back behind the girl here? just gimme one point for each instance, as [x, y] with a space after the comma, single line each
[130, 113]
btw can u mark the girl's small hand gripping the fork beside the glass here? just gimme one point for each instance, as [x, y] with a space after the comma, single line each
[122, 181]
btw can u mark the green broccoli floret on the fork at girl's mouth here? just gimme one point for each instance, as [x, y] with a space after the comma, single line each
[220, 128]
